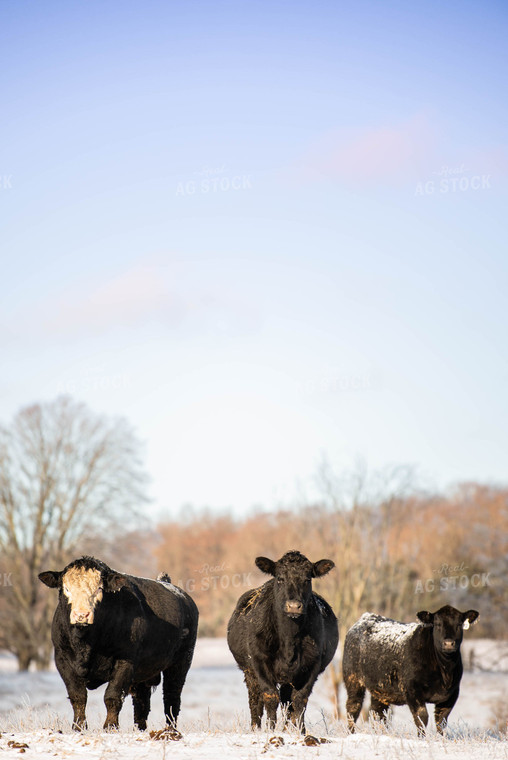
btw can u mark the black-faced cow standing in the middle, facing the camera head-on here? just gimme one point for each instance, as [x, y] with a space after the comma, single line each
[283, 635]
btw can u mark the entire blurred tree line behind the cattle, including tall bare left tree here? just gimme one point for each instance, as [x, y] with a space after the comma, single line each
[72, 483]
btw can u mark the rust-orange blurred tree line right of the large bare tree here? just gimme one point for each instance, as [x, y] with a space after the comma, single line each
[396, 557]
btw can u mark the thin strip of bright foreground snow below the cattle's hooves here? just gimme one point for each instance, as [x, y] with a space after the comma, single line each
[46, 744]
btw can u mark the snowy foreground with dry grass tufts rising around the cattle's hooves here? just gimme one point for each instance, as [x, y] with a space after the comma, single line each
[216, 738]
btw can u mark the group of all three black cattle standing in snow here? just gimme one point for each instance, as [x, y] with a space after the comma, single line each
[131, 632]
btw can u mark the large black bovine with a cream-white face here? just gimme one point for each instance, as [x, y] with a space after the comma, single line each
[116, 628]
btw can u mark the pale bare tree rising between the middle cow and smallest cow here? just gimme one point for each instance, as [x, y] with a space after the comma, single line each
[358, 514]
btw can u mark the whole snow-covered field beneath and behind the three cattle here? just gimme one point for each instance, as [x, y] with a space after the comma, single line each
[214, 721]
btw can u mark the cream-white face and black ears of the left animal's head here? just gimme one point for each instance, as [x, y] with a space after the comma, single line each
[82, 583]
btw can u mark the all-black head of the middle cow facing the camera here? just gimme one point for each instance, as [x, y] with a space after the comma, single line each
[293, 575]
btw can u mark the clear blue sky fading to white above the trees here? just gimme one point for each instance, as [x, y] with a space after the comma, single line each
[261, 232]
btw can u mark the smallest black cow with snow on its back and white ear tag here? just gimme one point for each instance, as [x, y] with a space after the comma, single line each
[405, 664]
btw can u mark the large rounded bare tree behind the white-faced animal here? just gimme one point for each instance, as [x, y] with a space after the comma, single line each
[65, 473]
